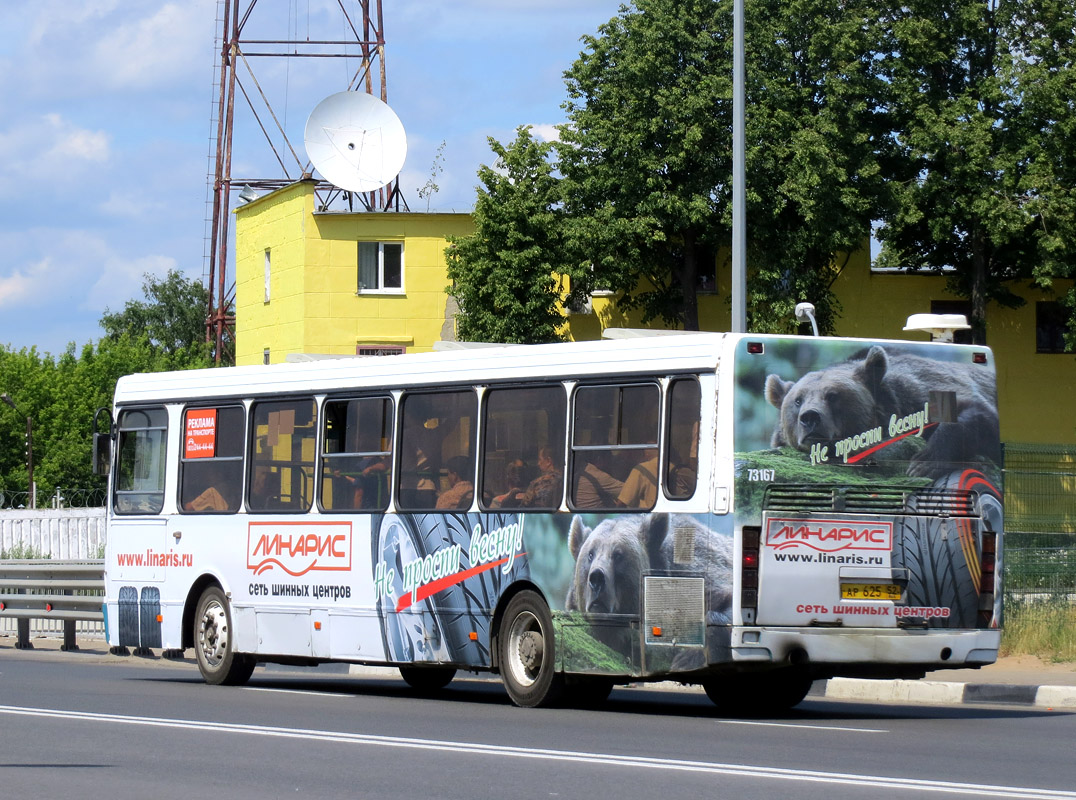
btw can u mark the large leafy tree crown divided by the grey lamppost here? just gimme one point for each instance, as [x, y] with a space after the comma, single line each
[647, 156]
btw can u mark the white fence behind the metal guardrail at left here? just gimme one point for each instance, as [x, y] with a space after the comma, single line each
[53, 534]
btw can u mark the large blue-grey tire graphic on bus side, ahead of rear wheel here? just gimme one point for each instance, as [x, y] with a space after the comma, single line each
[438, 628]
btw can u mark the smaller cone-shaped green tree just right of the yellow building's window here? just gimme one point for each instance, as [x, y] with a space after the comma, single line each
[505, 277]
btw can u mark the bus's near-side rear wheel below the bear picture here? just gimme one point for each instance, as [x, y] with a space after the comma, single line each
[528, 651]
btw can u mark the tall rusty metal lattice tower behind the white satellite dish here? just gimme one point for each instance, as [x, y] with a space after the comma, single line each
[361, 39]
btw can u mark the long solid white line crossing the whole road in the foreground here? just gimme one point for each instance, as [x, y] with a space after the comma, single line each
[602, 760]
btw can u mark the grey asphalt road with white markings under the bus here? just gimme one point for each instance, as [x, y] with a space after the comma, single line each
[117, 728]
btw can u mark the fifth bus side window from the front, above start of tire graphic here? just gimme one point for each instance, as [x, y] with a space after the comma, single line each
[435, 428]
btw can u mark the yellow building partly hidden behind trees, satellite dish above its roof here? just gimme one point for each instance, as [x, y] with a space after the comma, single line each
[331, 284]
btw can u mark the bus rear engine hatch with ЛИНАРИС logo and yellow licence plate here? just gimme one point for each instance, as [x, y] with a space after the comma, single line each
[856, 558]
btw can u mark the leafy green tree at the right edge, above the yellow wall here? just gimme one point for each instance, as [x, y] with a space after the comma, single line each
[982, 111]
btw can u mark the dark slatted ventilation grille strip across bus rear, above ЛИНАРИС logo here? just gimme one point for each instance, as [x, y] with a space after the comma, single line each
[860, 500]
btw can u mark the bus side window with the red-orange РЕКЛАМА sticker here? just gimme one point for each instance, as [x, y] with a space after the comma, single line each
[211, 464]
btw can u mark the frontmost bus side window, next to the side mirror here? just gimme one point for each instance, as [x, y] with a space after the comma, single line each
[140, 464]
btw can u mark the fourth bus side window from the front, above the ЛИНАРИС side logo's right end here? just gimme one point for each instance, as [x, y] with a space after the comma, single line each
[358, 460]
